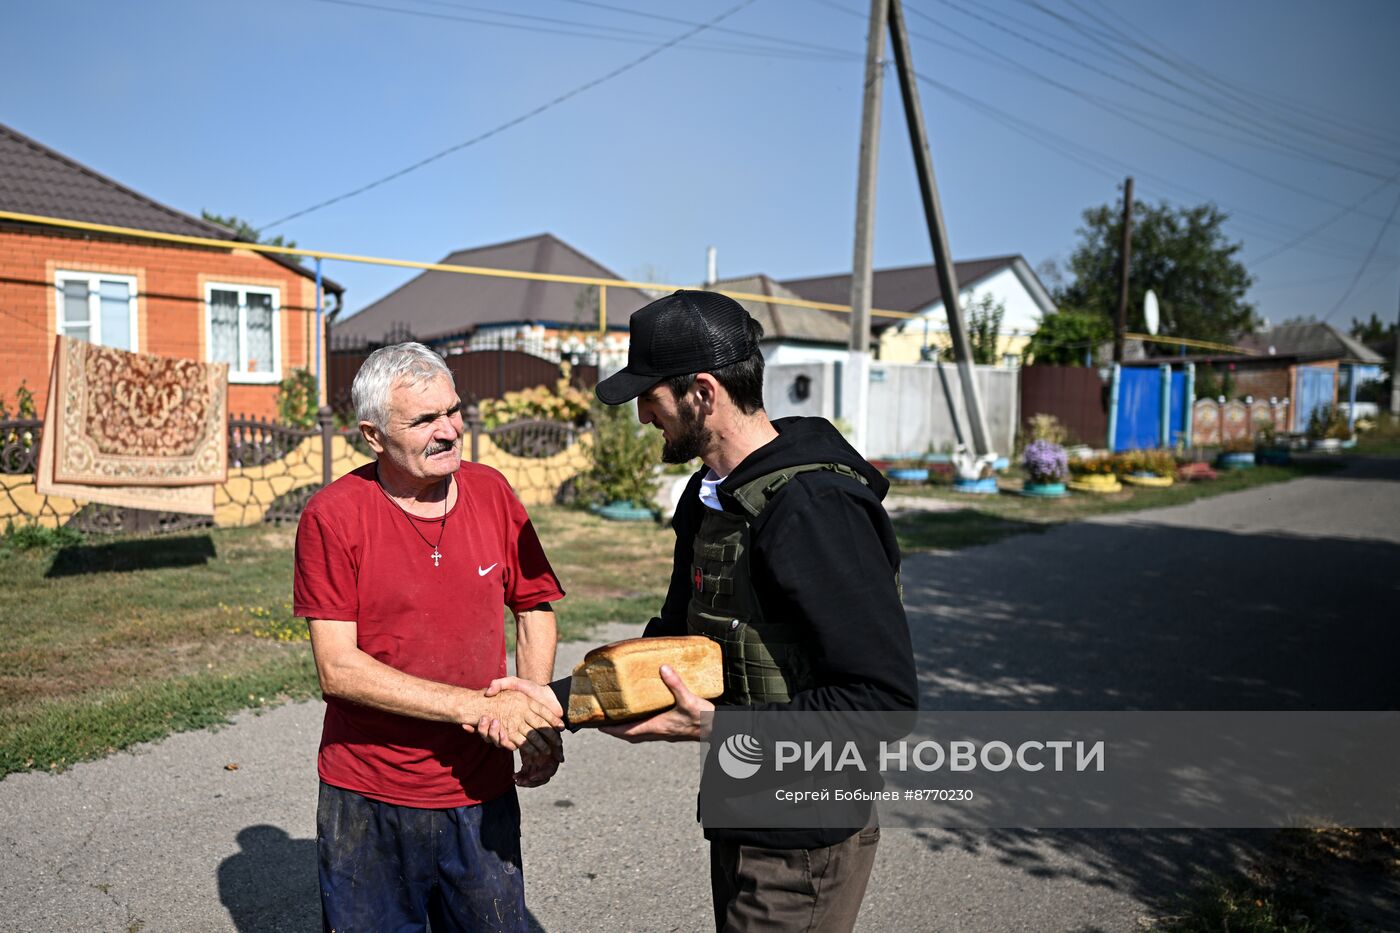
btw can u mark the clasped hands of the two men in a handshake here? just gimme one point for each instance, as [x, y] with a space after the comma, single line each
[523, 717]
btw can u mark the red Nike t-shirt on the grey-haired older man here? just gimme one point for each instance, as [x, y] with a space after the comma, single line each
[360, 560]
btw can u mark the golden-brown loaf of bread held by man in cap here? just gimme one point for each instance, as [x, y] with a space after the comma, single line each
[622, 682]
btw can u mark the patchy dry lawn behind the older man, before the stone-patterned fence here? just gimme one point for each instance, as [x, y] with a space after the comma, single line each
[113, 642]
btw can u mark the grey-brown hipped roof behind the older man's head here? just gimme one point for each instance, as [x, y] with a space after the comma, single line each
[436, 305]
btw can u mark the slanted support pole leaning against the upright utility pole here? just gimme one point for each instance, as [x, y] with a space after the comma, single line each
[937, 232]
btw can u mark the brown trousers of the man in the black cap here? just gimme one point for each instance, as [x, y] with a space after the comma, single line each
[789, 890]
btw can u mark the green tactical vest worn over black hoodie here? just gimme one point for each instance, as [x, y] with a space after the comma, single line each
[765, 661]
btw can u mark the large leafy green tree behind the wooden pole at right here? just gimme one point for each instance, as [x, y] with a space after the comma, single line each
[1181, 254]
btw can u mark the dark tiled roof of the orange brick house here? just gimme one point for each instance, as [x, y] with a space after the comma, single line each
[37, 180]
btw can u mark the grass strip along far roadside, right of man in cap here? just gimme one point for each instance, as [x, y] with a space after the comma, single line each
[988, 519]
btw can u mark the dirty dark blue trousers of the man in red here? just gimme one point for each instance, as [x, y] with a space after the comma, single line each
[387, 868]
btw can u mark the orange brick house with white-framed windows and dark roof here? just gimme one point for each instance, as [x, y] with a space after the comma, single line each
[254, 312]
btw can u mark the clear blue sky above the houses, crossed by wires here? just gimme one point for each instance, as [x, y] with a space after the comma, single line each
[743, 142]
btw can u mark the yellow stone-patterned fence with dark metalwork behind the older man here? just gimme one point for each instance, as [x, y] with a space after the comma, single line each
[275, 470]
